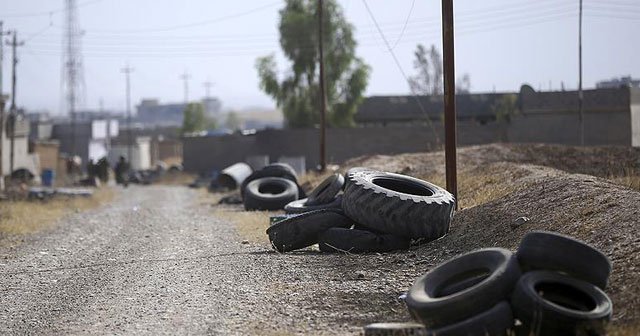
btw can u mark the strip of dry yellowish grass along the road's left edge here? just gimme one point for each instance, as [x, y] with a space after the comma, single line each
[27, 217]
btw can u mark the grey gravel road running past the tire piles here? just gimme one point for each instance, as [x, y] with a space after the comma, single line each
[157, 262]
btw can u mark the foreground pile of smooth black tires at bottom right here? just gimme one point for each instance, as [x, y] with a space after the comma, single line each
[552, 285]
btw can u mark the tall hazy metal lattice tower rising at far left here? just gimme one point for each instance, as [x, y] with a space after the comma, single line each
[73, 75]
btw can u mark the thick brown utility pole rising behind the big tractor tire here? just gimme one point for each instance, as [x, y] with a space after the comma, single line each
[449, 97]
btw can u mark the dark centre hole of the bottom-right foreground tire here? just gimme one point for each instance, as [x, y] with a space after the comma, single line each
[565, 296]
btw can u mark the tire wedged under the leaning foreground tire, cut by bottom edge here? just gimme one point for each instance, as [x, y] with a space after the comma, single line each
[497, 321]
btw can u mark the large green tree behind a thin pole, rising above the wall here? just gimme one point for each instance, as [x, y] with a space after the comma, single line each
[346, 75]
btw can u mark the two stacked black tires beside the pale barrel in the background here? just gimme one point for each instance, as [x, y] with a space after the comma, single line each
[270, 188]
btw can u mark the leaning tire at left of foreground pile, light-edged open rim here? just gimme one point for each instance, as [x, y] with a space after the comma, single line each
[427, 305]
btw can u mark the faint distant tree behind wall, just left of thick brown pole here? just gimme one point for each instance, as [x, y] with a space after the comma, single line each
[428, 63]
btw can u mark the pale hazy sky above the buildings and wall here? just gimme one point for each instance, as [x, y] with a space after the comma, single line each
[500, 43]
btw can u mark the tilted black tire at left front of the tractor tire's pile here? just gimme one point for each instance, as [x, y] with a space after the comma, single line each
[303, 230]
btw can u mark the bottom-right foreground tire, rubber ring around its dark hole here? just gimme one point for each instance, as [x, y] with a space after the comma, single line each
[547, 318]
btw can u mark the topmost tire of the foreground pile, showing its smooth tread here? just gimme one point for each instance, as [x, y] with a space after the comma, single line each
[541, 250]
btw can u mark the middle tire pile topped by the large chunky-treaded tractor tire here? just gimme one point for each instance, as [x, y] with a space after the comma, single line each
[377, 212]
